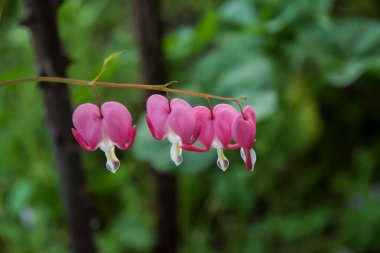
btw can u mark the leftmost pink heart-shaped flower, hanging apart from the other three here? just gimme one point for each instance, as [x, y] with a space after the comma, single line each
[104, 128]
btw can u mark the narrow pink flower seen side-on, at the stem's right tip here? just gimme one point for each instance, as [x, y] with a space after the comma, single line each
[244, 133]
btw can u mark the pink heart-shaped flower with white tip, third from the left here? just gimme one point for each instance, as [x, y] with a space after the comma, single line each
[215, 132]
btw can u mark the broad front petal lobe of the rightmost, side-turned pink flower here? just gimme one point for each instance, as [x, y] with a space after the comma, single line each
[243, 132]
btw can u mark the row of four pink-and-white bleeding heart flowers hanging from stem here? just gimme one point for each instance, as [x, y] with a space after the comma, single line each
[222, 127]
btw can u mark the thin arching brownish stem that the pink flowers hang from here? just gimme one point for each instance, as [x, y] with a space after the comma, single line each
[162, 88]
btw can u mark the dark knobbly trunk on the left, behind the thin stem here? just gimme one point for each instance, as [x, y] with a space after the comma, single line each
[40, 17]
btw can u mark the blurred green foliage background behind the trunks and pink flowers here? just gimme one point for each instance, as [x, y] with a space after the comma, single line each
[311, 69]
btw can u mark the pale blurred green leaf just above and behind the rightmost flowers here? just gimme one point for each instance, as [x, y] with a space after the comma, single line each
[244, 74]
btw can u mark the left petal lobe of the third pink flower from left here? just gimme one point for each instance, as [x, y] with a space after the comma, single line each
[203, 119]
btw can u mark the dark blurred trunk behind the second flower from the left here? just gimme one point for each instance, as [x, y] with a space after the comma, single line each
[149, 37]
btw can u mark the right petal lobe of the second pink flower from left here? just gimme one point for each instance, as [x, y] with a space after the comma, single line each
[182, 119]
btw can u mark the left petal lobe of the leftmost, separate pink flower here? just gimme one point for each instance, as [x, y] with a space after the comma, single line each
[87, 123]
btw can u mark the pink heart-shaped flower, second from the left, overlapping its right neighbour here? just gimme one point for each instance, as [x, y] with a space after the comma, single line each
[174, 120]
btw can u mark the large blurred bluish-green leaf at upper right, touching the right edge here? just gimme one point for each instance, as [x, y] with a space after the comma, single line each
[344, 51]
